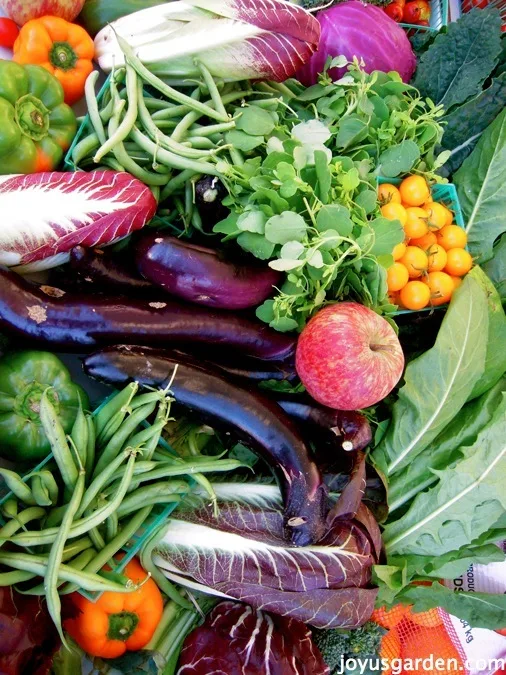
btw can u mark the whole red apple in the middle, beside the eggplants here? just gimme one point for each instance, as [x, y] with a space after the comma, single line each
[348, 357]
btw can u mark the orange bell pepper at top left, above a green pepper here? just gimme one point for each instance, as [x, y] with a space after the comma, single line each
[63, 48]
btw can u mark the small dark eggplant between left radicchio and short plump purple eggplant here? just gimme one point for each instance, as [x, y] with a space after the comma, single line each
[102, 270]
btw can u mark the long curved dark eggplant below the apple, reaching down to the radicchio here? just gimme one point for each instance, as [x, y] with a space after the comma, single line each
[256, 420]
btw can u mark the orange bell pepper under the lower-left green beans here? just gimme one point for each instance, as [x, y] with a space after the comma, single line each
[117, 622]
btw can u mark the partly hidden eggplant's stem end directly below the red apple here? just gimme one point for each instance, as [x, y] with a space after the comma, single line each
[351, 428]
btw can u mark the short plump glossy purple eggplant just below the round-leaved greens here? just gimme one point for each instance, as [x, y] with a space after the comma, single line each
[202, 275]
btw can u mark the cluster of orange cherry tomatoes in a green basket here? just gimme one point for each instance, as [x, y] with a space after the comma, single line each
[432, 260]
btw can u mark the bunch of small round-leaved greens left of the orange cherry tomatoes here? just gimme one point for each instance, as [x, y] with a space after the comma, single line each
[303, 194]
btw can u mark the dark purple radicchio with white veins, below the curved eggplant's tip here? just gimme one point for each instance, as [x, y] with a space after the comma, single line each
[242, 554]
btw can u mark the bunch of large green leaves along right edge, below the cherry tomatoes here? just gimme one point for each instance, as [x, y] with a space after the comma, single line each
[443, 460]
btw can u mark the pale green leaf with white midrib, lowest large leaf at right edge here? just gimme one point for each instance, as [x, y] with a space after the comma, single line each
[461, 507]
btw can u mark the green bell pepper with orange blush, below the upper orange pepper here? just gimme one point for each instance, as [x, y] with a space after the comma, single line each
[37, 126]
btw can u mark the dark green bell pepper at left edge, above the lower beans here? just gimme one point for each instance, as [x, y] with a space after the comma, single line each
[24, 376]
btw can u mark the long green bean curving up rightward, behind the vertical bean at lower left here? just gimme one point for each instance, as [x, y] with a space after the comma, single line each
[84, 525]
